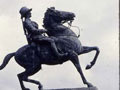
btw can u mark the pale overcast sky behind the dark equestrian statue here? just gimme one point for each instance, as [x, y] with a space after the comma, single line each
[98, 20]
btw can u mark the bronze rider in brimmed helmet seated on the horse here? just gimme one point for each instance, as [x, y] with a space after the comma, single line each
[34, 34]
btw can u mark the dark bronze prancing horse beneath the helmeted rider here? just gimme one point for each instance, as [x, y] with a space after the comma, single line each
[32, 57]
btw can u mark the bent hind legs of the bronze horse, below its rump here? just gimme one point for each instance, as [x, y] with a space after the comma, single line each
[24, 77]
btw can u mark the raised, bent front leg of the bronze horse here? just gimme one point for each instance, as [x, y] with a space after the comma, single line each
[89, 49]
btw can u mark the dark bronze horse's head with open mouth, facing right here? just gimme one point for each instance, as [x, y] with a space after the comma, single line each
[57, 16]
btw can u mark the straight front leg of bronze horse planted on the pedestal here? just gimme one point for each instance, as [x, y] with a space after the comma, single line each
[75, 61]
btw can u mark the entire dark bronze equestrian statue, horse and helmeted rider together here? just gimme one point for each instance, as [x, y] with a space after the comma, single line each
[31, 59]
